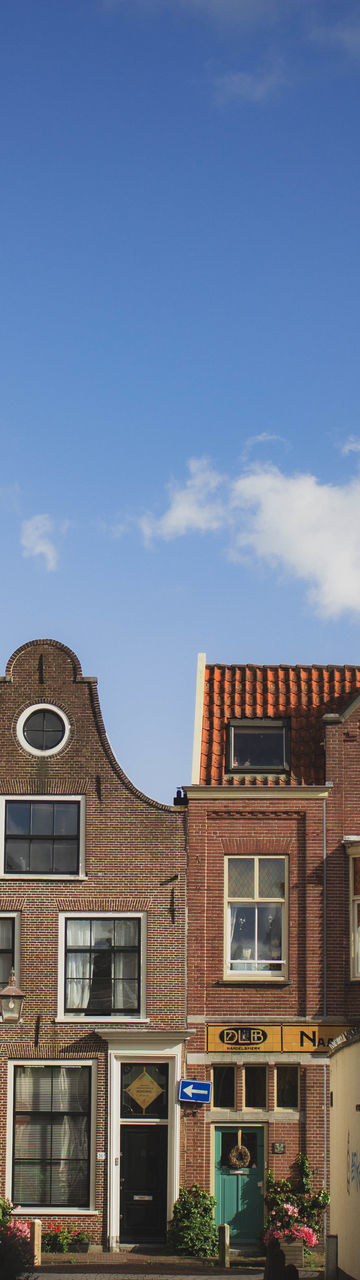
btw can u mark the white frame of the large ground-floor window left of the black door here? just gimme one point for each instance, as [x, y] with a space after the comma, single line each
[40, 1063]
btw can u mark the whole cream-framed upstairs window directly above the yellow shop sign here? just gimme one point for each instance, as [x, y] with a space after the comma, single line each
[257, 925]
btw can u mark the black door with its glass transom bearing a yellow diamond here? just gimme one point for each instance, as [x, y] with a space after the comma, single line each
[144, 1153]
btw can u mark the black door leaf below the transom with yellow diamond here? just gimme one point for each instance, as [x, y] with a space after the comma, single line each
[144, 1180]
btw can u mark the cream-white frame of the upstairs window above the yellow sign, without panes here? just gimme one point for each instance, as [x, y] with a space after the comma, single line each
[280, 975]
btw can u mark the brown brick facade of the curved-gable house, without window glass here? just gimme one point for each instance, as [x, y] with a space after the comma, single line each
[133, 870]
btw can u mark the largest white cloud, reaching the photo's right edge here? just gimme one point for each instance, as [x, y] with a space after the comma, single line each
[295, 524]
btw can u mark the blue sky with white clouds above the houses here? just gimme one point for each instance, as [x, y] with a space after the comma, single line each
[180, 346]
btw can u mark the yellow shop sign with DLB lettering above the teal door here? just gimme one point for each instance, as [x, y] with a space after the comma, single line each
[259, 1039]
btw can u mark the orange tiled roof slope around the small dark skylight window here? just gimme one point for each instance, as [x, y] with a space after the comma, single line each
[303, 694]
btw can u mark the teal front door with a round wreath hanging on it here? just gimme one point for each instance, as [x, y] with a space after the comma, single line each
[240, 1195]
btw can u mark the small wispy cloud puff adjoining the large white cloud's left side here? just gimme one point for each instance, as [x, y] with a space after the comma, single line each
[193, 508]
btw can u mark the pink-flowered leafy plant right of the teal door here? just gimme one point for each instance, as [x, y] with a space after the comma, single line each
[295, 1210]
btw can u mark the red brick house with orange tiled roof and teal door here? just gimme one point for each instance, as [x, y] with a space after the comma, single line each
[275, 921]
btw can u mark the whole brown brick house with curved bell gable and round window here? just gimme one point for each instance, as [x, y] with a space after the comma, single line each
[93, 920]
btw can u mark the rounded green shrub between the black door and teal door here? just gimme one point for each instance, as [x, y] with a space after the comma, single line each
[193, 1229]
